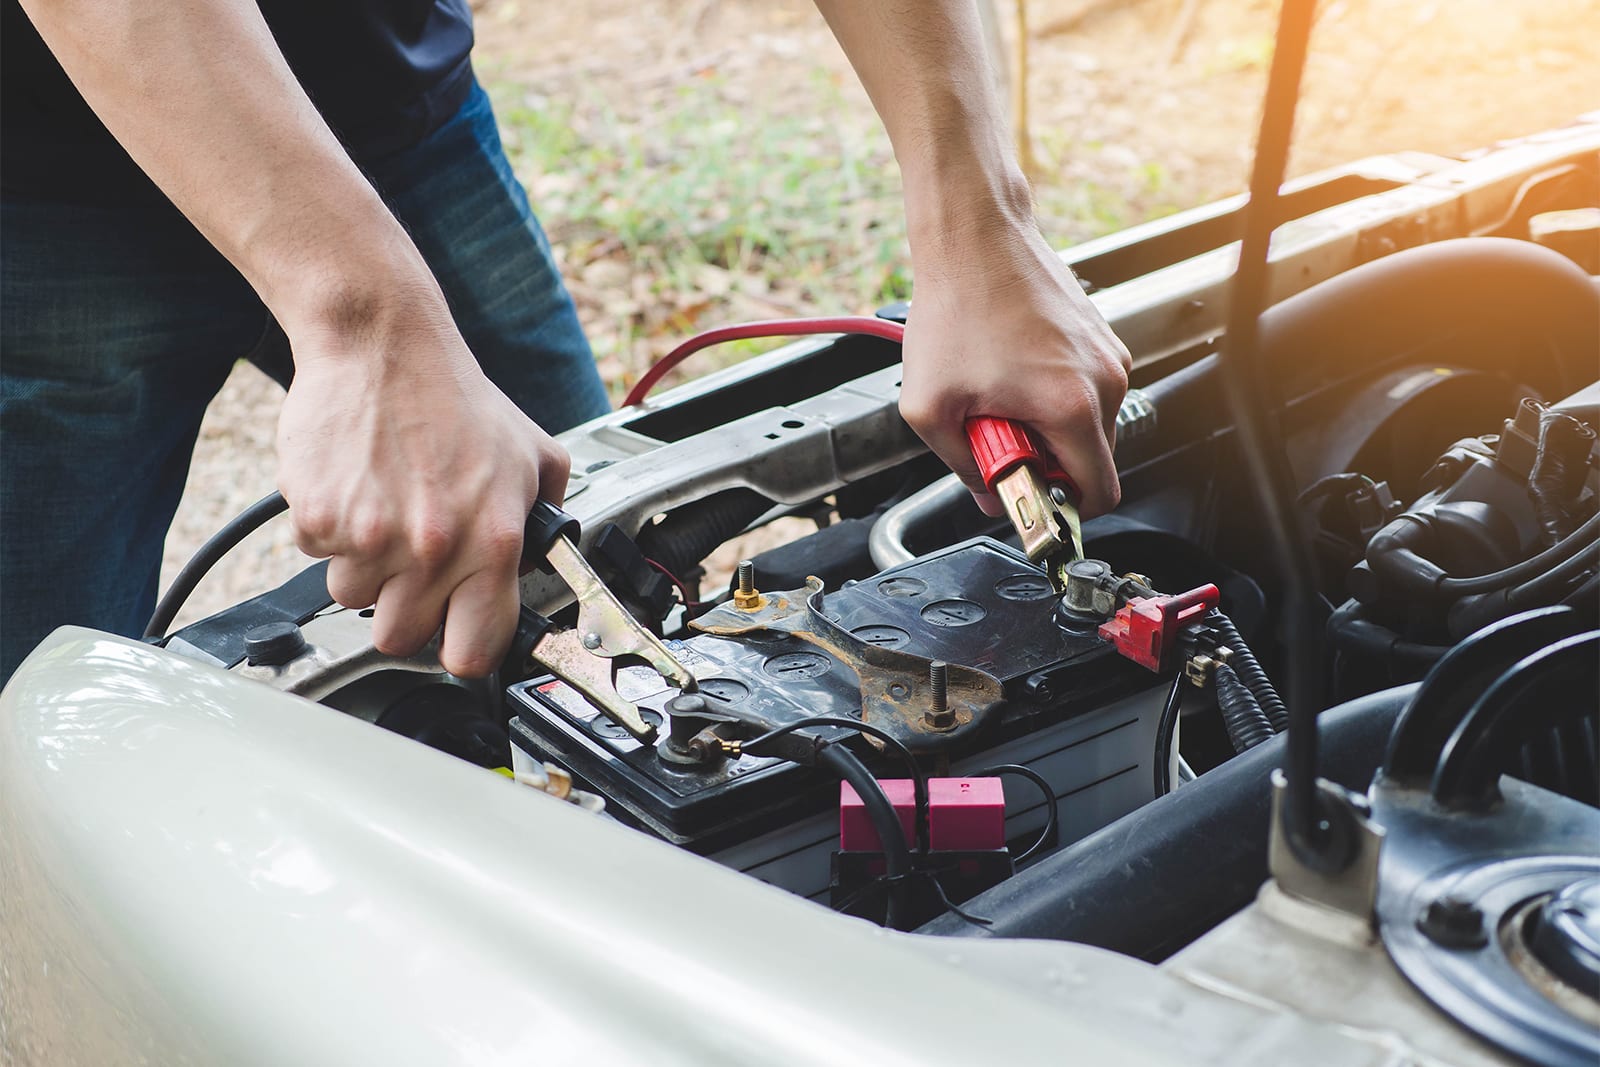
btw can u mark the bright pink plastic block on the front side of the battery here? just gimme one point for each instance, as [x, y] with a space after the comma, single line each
[964, 815]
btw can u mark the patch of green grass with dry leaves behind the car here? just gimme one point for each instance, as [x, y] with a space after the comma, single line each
[690, 207]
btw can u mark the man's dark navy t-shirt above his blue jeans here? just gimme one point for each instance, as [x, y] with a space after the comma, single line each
[383, 73]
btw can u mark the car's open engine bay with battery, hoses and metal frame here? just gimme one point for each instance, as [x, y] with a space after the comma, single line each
[900, 716]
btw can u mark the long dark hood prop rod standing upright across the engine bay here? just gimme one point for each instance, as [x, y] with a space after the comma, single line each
[1255, 417]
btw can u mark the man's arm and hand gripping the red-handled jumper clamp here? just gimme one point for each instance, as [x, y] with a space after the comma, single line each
[1001, 327]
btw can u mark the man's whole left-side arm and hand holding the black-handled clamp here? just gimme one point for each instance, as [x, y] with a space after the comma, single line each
[398, 457]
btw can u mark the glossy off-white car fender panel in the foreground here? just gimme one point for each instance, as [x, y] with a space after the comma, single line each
[201, 869]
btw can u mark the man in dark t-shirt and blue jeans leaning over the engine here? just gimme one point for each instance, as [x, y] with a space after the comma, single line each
[340, 180]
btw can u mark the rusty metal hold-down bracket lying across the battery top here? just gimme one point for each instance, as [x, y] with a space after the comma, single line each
[895, 685]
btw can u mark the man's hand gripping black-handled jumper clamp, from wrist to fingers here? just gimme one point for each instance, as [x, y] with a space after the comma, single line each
[402, 463]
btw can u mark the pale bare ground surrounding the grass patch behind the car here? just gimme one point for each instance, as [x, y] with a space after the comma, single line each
[1385, 76]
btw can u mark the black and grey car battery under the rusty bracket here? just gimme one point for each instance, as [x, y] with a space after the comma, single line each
[1073, 711]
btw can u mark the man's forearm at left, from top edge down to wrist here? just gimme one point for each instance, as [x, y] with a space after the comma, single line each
[199, 94]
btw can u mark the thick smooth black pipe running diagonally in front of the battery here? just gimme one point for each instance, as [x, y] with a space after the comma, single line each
[1170, 871]
